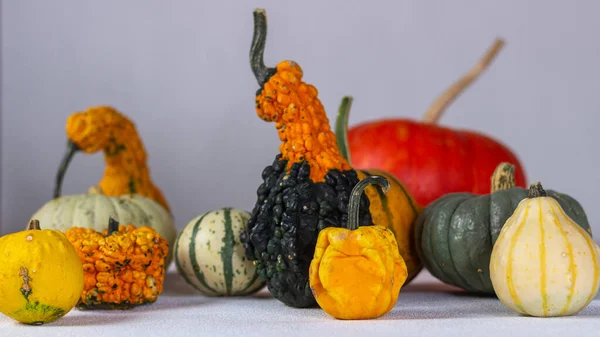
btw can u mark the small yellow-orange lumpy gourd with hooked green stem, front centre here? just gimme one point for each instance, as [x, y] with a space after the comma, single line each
[357, 273]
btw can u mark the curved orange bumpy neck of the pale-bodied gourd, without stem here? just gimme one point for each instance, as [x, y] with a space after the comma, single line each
[126, 172]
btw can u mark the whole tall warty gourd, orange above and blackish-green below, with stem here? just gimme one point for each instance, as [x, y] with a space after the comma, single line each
[308, 186]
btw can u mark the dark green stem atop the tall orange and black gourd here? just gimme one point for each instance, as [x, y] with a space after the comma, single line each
[257, 49]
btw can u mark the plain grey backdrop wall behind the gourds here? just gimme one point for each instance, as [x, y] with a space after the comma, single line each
[180, 70]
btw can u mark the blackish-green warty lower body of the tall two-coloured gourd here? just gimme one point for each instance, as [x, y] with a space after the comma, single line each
[286, 220]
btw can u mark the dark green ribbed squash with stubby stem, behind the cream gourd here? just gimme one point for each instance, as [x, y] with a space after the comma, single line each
[456, 233]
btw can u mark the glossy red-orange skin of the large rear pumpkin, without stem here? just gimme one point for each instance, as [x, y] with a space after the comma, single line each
[430, 160]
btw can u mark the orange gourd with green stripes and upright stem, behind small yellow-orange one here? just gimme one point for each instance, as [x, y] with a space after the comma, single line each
[396, 210]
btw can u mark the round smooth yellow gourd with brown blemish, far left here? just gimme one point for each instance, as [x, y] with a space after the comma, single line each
[41, 277]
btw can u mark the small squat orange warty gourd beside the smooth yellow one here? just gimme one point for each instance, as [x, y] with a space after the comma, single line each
[123, 266]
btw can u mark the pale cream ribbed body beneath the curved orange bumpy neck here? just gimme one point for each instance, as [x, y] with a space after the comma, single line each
[93, 211]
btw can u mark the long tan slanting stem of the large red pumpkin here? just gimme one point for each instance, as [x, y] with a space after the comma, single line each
[438, 107]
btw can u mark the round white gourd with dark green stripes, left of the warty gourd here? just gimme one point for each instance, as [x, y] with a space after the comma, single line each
[210, 257]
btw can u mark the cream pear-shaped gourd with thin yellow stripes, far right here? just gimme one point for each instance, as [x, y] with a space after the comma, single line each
[543, 264]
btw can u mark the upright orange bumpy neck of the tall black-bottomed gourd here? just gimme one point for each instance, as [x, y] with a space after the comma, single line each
[301, 121]
